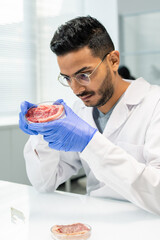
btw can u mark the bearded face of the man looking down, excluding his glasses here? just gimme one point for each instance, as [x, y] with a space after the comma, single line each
[100, 88]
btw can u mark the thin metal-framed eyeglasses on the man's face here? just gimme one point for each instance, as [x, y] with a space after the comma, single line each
[82, 78]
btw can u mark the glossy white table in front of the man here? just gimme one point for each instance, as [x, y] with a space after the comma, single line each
[109, 219]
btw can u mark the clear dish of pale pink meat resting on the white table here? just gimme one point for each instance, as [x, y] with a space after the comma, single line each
[77, 235]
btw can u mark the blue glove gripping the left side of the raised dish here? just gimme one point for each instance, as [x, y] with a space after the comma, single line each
[23, 125]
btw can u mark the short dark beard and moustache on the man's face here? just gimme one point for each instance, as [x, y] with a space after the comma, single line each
[105, 92]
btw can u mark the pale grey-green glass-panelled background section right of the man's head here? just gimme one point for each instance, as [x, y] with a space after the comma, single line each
[140, 35]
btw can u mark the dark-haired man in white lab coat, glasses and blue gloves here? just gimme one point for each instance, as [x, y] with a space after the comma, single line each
[122, 159]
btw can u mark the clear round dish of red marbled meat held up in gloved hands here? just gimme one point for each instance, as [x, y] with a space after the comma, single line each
[45, 112]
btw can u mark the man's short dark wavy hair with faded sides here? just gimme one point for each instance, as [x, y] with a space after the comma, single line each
[80, 32]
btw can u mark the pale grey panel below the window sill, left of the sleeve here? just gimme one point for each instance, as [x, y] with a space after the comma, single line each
[12, 165]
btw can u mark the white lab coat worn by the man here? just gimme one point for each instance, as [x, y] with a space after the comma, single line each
[121, 163]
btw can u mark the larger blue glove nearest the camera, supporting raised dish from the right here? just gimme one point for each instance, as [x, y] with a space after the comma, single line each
[68, 134]
